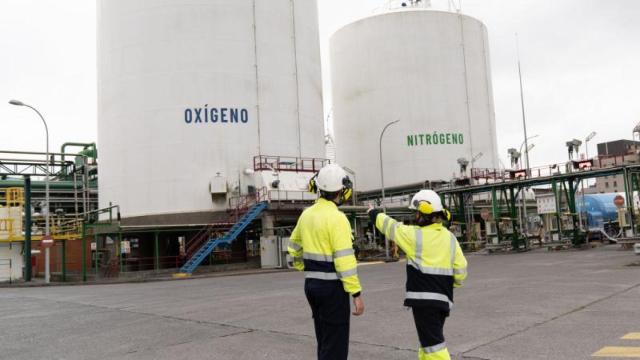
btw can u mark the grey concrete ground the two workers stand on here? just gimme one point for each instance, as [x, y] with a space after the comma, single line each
[536, 305]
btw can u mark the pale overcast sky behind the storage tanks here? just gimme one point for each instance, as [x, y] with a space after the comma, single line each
[579, 59]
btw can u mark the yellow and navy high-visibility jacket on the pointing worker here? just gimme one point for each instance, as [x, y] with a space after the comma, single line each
[435, 262]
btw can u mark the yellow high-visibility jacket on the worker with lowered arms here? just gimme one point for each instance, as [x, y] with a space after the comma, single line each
[322, 247]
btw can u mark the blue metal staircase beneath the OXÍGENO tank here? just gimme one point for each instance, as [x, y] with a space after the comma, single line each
[190, 266]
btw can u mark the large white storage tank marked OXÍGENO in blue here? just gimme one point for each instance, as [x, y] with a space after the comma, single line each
[189, 92]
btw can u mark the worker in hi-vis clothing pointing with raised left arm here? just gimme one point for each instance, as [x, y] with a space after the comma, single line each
[435, 265]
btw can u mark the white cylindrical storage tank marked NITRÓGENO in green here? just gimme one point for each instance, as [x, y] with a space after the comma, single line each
[430, 70]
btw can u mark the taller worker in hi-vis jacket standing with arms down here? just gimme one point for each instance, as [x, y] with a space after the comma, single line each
[321, 245]
